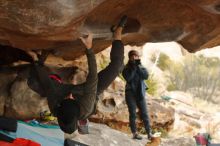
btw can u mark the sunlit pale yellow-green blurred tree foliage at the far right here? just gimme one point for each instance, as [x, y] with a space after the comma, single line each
[197, 74]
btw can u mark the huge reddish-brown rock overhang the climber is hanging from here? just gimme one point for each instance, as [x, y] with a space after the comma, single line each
[56, 24]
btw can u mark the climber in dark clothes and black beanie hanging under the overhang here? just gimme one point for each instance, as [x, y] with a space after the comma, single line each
[72, 103]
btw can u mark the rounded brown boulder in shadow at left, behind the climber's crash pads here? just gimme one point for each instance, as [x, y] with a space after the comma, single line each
[24, 103]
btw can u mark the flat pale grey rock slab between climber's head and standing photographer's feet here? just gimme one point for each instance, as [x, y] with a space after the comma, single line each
[102, 135]
